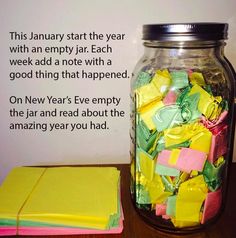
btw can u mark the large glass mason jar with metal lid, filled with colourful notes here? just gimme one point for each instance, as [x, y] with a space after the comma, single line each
[182, 114]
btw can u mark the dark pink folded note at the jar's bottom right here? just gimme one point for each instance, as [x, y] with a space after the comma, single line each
[212, 205]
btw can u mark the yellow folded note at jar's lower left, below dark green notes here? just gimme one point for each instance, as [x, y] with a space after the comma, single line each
[147, 164]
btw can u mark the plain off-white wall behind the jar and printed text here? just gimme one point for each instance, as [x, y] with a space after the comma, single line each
[110, 146]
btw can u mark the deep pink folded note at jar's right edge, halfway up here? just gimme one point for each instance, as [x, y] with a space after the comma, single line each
[218, 142]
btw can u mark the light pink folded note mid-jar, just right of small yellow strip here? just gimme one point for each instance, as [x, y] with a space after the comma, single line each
[190, 159]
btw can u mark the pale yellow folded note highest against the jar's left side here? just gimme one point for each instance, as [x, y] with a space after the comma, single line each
[147, 94]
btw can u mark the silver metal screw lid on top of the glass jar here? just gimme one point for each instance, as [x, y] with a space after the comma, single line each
[185, 31]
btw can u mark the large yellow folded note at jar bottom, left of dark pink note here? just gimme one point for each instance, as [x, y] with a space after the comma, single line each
[192, 194]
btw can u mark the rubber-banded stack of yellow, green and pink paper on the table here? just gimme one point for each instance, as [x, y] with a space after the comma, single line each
[60, 201]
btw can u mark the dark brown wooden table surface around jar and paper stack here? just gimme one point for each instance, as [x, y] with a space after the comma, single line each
[135, 227]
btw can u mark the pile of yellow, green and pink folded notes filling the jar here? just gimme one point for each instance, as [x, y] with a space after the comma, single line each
[181, 145]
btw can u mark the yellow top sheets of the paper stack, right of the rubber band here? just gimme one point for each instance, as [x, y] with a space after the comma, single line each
[88, 196]
